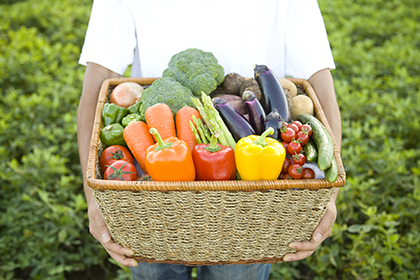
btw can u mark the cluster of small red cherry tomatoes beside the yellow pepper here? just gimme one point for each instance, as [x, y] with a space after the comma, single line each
[294, 136]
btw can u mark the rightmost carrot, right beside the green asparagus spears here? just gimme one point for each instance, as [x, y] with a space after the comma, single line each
[183, 129]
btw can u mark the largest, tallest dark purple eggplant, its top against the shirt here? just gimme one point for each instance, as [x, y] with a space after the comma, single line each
[272, 93]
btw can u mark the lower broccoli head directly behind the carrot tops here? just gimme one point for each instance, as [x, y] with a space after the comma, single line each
[165, 90]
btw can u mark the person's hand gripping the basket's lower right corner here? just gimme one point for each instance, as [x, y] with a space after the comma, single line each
[306, 248]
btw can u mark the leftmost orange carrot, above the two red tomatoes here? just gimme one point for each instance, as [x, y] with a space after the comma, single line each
[138, 139]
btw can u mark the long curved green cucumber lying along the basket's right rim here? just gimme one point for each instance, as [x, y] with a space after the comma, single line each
[322, 139]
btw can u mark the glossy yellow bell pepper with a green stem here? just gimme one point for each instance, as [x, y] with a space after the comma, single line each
[259, 157]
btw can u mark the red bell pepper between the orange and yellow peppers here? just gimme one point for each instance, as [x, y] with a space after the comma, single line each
[214, 161]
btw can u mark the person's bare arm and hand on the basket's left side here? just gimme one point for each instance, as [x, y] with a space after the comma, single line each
[94, 76]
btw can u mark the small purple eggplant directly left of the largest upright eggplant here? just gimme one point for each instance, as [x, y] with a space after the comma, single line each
[256, 113]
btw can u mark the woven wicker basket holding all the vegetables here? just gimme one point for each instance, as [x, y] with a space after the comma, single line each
[207, 223]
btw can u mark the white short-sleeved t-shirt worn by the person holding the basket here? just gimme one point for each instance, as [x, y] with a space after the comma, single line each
[288, 36]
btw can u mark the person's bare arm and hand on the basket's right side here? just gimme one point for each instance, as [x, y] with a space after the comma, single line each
[323, 85]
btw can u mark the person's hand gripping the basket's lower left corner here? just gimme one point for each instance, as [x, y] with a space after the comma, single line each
[99, 230]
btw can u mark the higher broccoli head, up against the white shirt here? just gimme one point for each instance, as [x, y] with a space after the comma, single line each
[195, 69]
